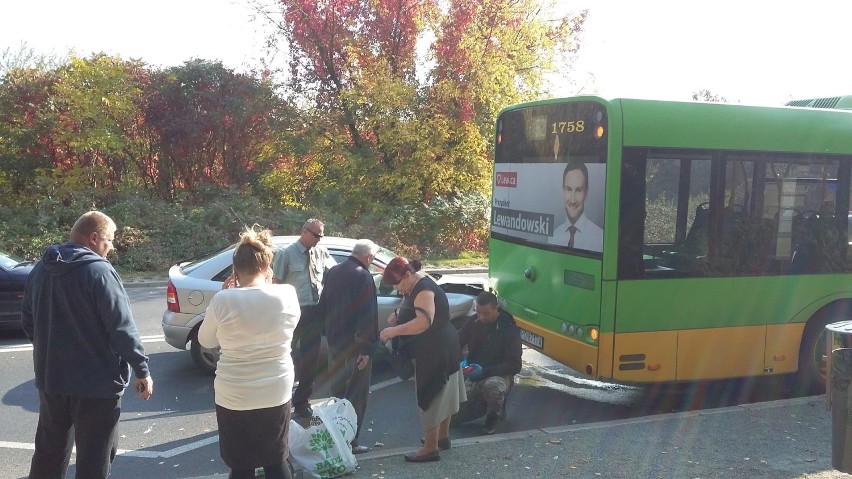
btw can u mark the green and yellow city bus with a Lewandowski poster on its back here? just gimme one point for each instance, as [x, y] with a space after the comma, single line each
[652, 241]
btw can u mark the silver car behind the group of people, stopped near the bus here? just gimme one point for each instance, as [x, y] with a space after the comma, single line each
[192, 284]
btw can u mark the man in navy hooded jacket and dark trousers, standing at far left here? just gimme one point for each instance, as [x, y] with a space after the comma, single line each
[85, 343]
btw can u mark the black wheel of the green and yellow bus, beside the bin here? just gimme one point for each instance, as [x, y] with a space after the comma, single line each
[810, 378]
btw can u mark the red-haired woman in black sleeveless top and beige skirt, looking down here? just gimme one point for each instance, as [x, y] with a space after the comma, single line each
[423, 319]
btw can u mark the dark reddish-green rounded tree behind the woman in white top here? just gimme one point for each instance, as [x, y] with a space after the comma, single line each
[212, 126]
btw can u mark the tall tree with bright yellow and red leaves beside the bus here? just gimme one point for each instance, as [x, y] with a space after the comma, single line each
[390, 125]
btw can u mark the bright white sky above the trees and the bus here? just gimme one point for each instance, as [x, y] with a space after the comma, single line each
[747, 51]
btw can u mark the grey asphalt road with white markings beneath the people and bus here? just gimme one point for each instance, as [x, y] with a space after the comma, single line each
[174, 434]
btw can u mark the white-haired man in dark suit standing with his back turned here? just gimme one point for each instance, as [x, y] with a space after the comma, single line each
[351, 328]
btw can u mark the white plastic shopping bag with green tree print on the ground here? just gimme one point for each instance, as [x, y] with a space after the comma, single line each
[323, 449]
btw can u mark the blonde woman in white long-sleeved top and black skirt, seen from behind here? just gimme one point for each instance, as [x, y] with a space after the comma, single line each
[252, 320]
